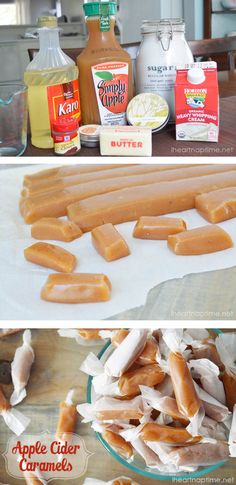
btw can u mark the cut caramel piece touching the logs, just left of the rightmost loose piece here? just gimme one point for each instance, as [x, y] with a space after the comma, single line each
[151, 227]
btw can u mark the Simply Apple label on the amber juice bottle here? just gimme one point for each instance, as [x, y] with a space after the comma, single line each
[111, 83]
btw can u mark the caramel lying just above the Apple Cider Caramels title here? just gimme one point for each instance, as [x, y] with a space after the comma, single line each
[67, 421]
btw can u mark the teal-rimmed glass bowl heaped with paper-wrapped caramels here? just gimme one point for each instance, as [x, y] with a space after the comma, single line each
[162, 402]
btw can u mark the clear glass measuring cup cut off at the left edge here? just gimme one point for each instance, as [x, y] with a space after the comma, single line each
[13, 119]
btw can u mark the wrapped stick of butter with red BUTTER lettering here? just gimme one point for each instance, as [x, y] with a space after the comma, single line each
[126, 141]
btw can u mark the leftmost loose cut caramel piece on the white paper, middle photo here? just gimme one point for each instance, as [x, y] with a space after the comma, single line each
[51, 256]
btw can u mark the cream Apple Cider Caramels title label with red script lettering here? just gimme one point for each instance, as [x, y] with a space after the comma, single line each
[47, 457]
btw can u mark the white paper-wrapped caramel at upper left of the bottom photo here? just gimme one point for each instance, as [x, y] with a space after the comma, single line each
[21, 367]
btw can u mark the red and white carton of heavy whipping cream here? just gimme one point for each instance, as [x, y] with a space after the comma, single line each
[197, 102]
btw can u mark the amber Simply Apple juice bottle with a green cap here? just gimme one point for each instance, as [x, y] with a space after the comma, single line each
[105, 68]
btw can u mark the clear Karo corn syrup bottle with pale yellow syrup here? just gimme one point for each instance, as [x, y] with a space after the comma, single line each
[52, 80]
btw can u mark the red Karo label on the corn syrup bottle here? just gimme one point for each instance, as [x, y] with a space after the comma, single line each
[64, 101]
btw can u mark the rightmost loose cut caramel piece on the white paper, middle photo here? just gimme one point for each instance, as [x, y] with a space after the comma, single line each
[202, 240]
